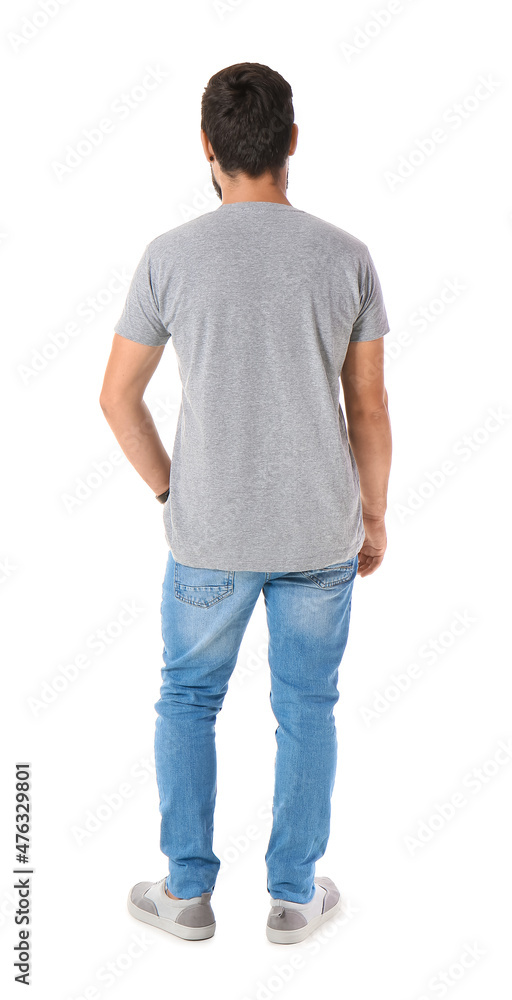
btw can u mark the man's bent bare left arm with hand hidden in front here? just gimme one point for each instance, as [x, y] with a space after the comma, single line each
[129, 369]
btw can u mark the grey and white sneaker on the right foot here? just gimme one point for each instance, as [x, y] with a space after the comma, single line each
[289, 923]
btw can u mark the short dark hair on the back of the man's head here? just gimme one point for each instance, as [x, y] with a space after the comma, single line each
[247, 114]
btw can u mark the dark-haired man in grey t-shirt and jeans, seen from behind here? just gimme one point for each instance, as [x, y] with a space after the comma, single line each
[267, 306]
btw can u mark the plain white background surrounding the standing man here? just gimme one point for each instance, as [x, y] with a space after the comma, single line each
[411, 910]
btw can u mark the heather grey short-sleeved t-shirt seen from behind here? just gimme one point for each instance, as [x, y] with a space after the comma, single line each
[260, 300]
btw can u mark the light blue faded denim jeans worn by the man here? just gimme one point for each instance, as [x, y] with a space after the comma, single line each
[205, 613]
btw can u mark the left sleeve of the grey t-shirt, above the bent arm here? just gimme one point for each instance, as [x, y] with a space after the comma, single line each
[140, 319]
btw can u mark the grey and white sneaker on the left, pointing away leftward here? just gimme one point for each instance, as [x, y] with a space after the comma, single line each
[192, 919]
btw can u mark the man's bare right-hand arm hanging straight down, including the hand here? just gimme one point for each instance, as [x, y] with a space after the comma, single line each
[369, 433]
